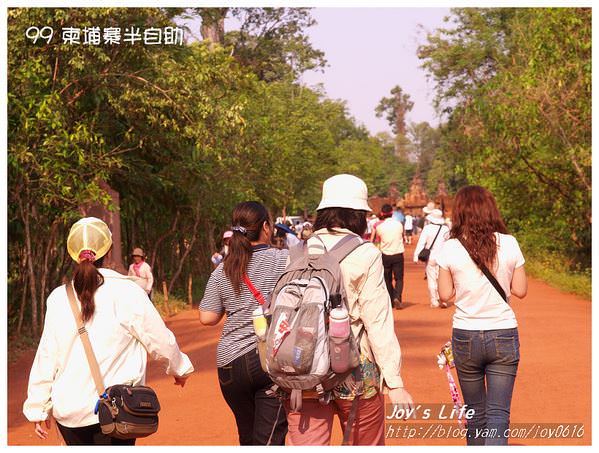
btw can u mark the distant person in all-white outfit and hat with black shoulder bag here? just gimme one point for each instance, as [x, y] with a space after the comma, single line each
[432, 237]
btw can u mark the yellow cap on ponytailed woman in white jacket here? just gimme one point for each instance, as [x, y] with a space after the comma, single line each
[89, 233]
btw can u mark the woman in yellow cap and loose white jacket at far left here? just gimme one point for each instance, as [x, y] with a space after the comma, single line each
[123, 327]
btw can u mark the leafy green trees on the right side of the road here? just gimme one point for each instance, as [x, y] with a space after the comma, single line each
[519, 92]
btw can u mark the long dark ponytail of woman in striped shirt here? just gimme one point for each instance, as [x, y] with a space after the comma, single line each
[249, 215]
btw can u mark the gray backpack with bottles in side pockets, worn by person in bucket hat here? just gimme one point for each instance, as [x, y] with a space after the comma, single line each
[297, 341]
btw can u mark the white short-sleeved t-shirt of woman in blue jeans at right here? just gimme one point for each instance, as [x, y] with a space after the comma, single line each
[478, 304]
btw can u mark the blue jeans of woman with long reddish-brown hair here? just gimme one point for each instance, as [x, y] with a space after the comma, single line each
[492, 355]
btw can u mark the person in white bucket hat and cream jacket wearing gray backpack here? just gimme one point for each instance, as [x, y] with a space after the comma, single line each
[342, 212]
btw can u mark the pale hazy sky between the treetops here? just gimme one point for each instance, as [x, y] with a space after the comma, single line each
[369, 51]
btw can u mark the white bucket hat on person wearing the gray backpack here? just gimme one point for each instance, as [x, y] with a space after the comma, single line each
[344, 191]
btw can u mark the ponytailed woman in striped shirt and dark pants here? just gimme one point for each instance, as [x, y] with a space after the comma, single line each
[243, 383]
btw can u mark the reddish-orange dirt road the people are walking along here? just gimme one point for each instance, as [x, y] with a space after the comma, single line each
[553, 383]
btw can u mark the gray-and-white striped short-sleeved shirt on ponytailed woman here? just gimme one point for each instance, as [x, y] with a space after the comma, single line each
[238, 338]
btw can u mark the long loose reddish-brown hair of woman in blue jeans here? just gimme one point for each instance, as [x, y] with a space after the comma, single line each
[475, 218]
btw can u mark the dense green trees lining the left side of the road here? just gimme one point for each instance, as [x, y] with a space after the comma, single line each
[182, 133]
